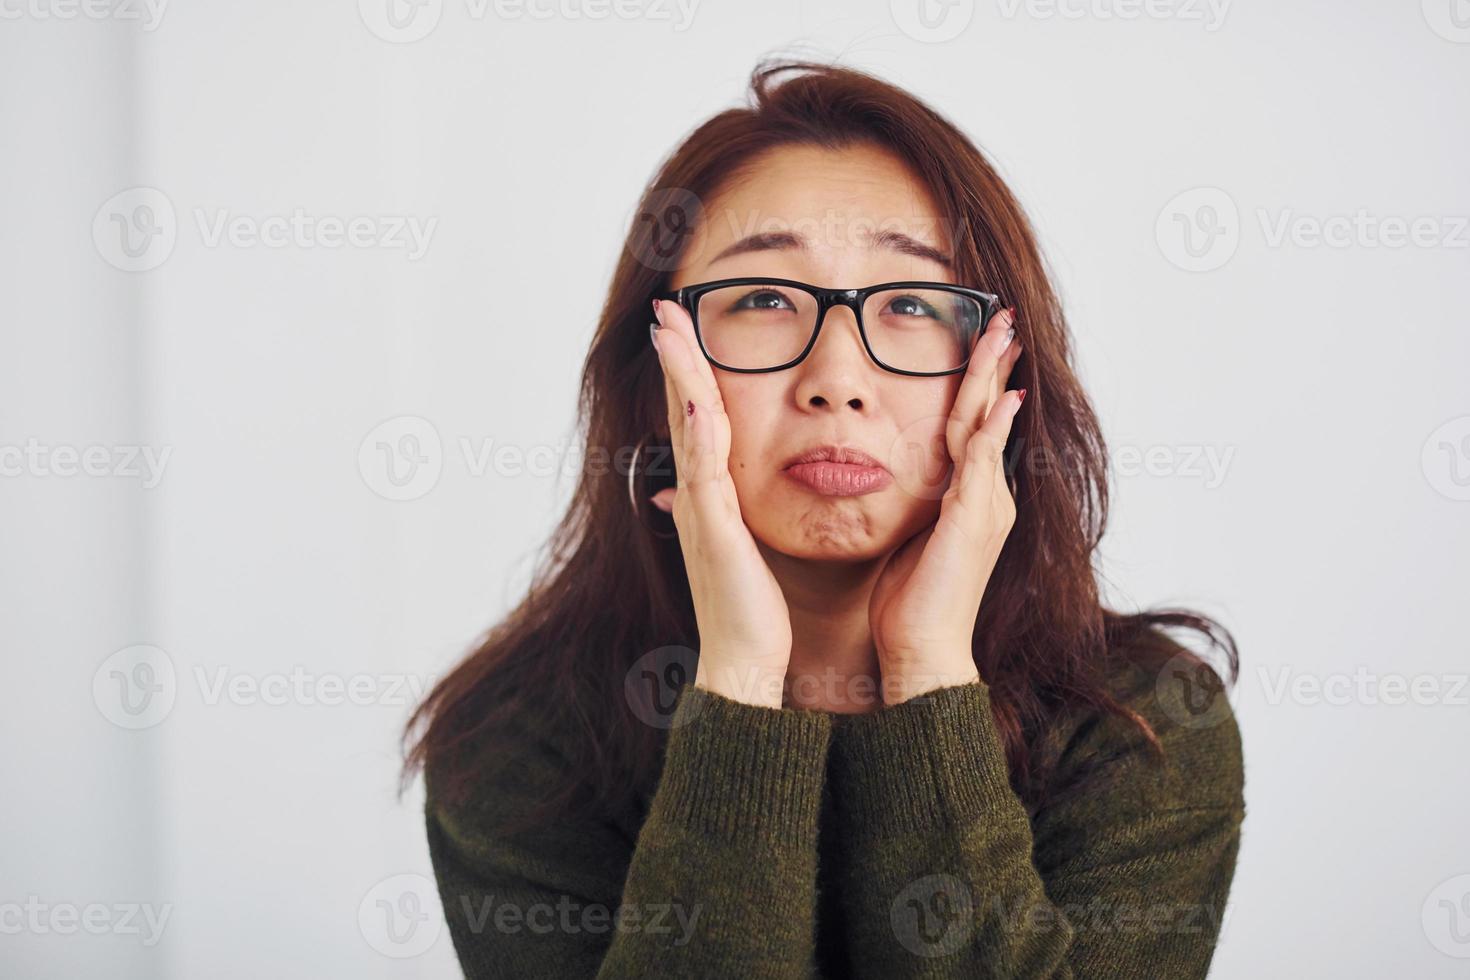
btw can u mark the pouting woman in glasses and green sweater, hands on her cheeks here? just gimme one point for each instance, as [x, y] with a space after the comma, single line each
[912, 741]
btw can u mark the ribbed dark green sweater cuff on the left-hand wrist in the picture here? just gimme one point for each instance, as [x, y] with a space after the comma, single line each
[743, 772]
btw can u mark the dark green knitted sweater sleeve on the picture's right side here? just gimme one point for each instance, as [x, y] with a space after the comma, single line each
[944, 873]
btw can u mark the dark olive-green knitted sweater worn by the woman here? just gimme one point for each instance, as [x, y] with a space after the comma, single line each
[803, 844]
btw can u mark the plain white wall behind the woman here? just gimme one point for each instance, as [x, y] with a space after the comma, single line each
[1328, 381]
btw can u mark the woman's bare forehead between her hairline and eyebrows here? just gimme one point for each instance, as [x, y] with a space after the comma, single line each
[837, 199]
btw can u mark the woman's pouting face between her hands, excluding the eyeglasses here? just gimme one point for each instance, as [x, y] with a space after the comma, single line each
[830, 218]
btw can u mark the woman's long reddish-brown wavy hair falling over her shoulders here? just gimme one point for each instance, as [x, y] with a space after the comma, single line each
[606, 591]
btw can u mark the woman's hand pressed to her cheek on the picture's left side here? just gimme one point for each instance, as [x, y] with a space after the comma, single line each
[742, 612]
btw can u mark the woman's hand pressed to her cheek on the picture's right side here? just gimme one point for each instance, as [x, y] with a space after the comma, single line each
[925, 603]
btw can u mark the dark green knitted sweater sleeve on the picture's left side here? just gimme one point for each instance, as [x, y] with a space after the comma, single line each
[721, 881]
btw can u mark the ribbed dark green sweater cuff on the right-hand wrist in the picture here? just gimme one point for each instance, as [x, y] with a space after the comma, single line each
[928, 763]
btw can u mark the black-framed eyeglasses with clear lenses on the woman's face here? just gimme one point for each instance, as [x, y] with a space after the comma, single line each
[761, 324]
